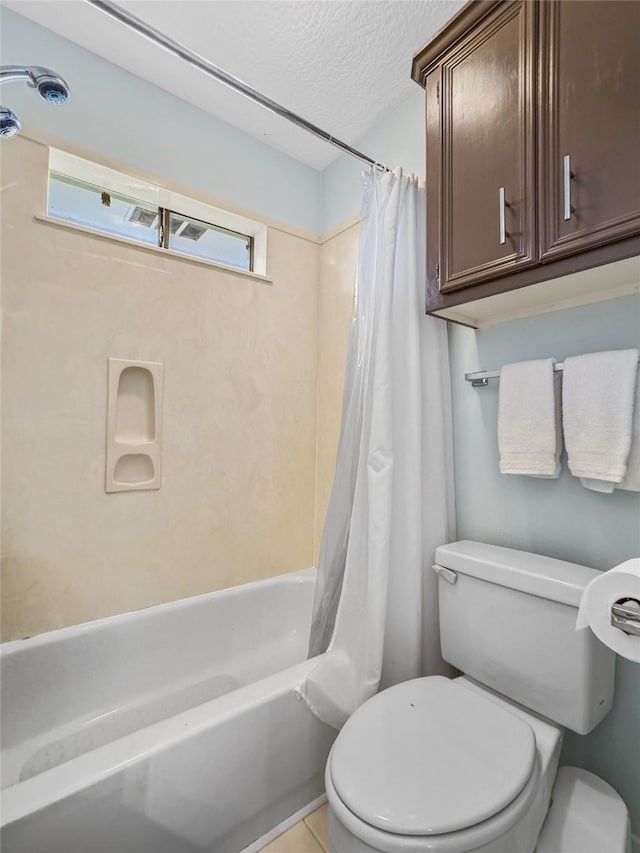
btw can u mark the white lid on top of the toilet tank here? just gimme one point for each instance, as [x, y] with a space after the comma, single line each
[545, 577]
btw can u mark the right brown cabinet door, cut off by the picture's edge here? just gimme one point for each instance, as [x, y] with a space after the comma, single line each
[590, 124]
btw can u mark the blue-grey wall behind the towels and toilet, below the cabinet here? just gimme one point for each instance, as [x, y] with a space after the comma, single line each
[554, 517]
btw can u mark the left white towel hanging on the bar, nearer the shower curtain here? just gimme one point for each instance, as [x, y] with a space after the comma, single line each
[529, 431]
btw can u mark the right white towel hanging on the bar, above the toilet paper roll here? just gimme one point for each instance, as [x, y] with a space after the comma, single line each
[597, 403]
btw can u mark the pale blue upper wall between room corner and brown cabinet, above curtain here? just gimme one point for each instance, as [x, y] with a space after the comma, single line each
[397, 141]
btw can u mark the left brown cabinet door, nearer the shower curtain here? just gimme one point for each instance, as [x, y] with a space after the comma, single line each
[488, 223]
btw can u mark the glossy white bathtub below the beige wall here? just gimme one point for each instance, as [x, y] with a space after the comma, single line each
[169, 730]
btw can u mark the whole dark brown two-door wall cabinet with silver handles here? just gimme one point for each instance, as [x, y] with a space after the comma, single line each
[533, 141]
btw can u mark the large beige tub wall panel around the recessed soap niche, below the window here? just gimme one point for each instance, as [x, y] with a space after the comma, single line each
[239, 415]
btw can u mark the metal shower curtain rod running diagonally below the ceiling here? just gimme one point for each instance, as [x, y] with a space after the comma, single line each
[202, 64]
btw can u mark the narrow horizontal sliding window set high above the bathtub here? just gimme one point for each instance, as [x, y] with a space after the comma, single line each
[94, 196]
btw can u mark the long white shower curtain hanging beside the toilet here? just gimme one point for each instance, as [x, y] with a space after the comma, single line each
[392, 497]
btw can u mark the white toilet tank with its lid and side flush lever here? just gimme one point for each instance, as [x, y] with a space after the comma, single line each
[507, 620]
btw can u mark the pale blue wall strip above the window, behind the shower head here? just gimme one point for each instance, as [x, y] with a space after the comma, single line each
[130, 121]
